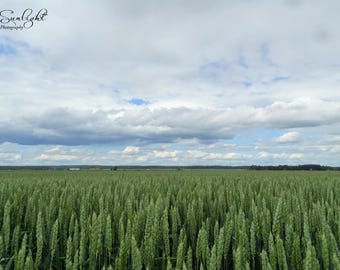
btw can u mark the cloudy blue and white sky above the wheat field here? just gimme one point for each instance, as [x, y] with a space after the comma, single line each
[157, 82]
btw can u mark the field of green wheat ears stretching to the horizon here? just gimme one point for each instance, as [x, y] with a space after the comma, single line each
[190, 219]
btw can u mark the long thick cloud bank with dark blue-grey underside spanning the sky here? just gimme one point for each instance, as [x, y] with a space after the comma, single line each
[76, 127]
